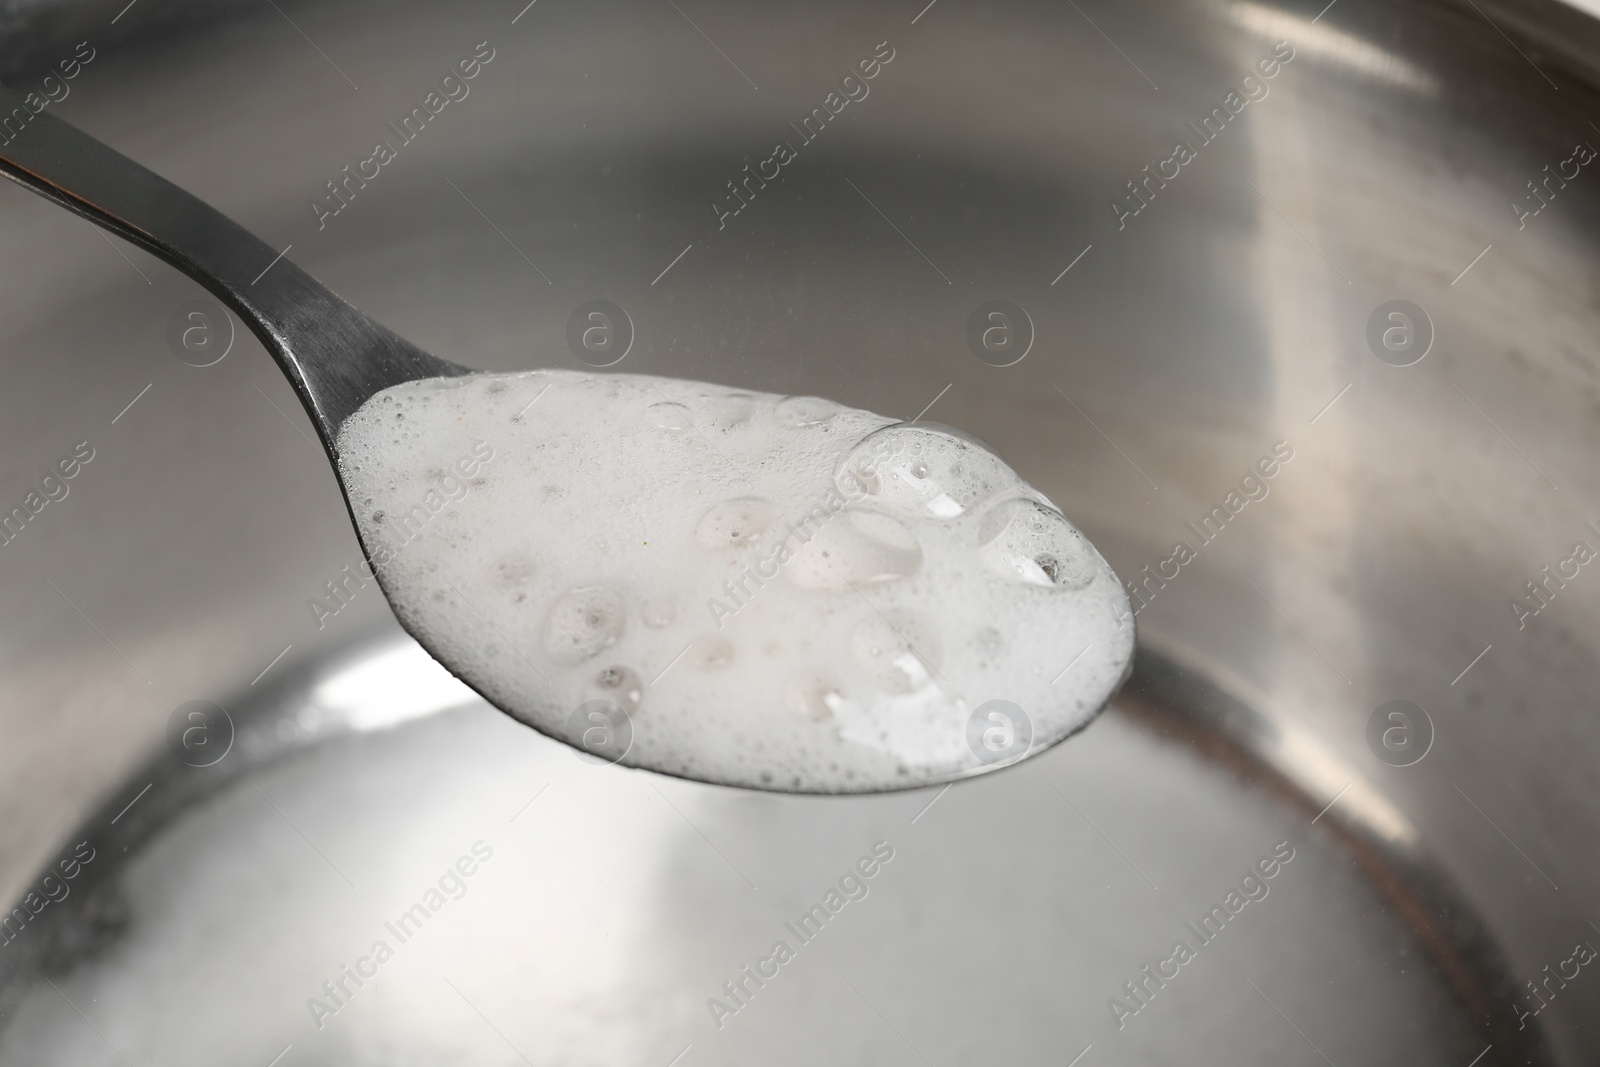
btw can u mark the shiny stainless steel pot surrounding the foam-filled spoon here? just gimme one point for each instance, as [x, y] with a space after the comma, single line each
[1172, 354]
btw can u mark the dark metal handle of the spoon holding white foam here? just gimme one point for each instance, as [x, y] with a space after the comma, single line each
[335, 356]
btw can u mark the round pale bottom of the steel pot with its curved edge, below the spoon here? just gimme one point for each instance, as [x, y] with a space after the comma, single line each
[1010, 961]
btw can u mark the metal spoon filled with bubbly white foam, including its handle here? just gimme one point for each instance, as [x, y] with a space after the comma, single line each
[729, 586]
